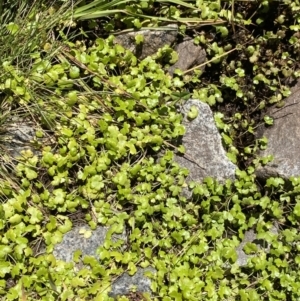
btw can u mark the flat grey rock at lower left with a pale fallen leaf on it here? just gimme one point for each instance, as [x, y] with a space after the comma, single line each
[74, 240]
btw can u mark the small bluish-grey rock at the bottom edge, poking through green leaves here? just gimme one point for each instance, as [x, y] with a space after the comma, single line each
[139, 282]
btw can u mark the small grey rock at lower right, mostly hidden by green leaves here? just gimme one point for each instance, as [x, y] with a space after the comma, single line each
[251, 237]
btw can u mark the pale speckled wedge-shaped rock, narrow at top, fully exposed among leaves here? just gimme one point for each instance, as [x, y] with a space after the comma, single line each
[205, 155]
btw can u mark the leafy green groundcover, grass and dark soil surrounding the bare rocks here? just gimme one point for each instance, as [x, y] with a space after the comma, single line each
[107, 126]
